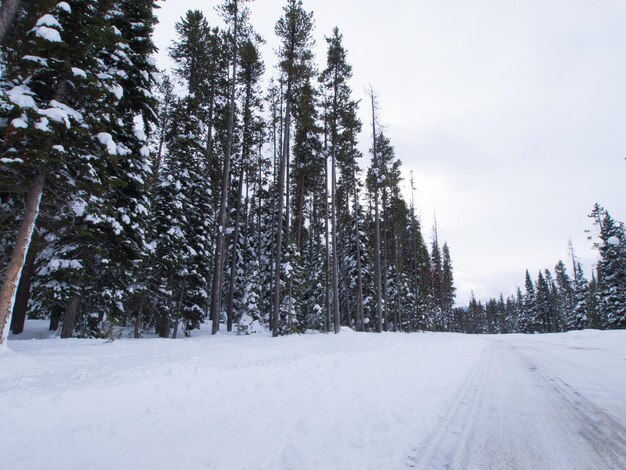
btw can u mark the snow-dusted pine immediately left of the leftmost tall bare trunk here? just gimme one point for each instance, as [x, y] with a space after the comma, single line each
[184, 196]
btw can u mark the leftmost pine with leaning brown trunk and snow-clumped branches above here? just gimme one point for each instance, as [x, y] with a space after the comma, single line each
[38, 108]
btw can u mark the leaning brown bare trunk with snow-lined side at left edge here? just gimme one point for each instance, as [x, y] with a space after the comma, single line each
[18, 256]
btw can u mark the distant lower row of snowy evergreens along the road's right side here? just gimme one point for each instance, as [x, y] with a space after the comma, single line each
[558, 301]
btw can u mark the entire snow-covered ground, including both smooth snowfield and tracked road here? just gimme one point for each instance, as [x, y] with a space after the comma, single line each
[351, 401]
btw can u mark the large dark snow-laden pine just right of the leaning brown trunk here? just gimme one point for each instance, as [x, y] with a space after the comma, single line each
[82, 79]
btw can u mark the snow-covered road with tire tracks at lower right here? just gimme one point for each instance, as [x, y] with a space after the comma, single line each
[536, 402]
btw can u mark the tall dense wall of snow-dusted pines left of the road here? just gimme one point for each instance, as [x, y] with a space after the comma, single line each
[135, 204]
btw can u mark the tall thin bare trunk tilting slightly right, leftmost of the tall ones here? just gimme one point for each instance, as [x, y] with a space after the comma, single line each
[218, 268]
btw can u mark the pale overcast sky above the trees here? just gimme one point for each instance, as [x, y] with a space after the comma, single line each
[510, 113]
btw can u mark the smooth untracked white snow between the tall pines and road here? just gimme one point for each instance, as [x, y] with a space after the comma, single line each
[347, 401]
